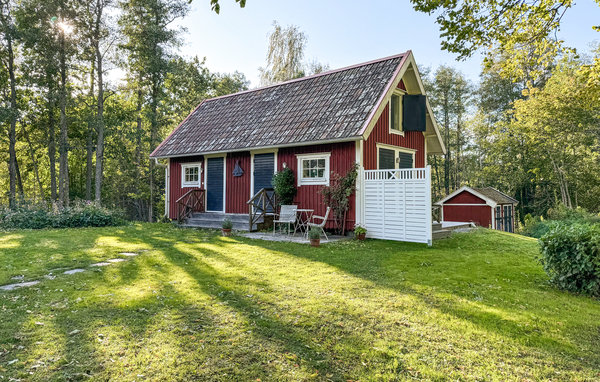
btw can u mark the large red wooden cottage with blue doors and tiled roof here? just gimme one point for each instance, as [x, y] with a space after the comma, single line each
[374, 114]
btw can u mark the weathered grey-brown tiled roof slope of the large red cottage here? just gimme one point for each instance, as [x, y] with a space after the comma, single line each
[330, 106]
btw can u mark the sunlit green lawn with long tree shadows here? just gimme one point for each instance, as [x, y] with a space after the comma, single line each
[197, 306]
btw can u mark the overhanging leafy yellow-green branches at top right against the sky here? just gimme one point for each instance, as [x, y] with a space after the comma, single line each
[522, 30]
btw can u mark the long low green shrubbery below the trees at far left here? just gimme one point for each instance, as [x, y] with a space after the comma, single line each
[38, 216]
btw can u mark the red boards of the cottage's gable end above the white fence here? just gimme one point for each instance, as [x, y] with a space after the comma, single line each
[381, 134]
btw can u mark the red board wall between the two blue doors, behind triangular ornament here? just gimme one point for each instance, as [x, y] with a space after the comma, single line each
[237, 187]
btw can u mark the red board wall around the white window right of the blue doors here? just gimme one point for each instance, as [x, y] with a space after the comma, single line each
[343, 155]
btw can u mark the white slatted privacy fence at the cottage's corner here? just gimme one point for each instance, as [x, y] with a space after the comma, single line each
[397, 204]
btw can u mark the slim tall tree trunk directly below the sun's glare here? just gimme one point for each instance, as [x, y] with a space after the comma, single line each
[63, 175]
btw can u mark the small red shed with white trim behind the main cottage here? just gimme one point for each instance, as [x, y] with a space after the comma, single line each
[486, 207]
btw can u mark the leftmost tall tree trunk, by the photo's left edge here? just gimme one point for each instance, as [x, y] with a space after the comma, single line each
[12, 134]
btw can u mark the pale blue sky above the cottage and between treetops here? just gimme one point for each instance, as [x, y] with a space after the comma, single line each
[340, 33]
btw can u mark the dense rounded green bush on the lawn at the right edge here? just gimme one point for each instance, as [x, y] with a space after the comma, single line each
[571, 257]
